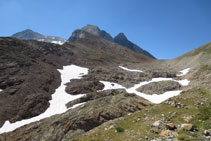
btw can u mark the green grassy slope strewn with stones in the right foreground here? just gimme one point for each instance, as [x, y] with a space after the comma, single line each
[134, 129]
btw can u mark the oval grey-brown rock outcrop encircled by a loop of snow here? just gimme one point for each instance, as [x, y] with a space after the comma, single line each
[159, 87]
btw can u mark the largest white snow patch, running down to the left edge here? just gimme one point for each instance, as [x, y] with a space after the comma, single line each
[59, 99]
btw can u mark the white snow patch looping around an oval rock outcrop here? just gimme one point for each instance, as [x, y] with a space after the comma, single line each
[154, 98]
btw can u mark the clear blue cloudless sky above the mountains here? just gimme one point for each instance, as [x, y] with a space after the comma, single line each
[165, 28]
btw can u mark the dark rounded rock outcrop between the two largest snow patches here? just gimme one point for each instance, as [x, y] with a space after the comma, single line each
[82, 86]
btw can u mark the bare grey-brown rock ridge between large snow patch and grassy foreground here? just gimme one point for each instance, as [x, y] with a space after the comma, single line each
[114, 104]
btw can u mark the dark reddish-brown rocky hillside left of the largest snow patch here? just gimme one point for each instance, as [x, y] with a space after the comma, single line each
[28, 77]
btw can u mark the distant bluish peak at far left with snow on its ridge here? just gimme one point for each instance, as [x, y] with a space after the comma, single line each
[31, 35]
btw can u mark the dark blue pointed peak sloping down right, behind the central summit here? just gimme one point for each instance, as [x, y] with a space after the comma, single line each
[122, 40]
